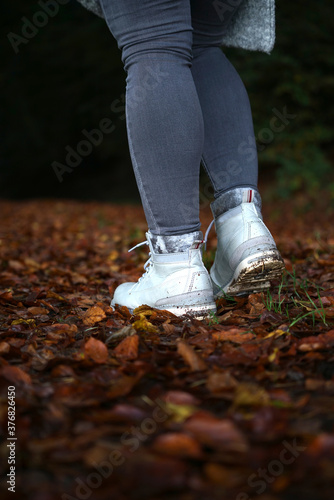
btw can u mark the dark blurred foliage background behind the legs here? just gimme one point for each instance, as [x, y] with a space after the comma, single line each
[69, 77]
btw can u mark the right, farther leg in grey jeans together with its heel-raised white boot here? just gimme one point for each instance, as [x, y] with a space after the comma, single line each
[246, 259]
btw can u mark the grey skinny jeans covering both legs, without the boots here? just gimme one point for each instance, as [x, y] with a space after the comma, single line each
[185, 104]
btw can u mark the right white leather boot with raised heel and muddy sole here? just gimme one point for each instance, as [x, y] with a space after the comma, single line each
[247, 259]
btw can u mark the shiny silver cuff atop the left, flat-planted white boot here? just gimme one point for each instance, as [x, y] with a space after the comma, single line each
[174, 244]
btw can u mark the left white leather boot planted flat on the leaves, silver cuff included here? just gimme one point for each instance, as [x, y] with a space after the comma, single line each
[175, 278]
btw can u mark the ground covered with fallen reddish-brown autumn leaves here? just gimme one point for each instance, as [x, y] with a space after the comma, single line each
[151, 406]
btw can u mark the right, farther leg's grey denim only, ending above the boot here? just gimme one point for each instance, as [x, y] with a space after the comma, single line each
[229, 152]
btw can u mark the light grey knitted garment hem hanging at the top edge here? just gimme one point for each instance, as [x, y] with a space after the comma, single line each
[252, 28]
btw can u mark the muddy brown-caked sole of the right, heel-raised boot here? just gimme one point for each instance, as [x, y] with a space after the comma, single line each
[252, 275]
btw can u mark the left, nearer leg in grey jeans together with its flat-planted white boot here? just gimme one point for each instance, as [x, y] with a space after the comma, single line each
[165, 133]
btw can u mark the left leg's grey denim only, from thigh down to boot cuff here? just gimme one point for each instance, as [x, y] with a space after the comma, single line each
[164, 117]
